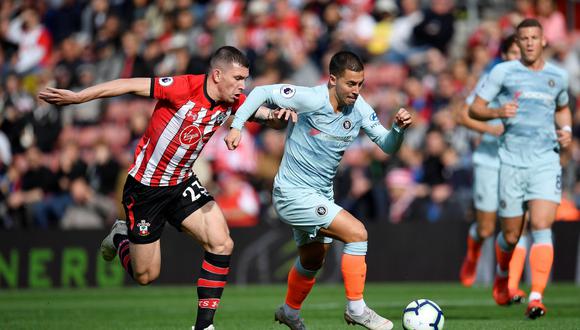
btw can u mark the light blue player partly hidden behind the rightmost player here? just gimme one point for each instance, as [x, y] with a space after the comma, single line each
[486, 187]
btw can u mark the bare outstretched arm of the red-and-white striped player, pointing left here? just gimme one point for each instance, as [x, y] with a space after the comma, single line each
[137, 86]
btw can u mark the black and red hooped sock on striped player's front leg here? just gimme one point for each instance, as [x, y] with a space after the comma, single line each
[210, 285]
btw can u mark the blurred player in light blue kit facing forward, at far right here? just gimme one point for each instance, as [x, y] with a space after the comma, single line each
[534, 109]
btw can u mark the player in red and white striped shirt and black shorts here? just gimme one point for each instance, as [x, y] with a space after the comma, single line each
[161, 186]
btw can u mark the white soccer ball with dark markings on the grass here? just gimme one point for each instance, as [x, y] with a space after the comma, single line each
[423, 314]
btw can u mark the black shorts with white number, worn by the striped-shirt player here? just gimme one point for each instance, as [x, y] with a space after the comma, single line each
[148, 208]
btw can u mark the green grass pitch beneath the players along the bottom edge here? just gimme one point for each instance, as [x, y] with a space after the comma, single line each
[252, 307]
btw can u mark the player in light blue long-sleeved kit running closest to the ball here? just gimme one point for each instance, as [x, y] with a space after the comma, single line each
[329, 119]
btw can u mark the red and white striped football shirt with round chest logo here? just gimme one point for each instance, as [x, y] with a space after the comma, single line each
[184, 119]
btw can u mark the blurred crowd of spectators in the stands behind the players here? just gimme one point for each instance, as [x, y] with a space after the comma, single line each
[65, 167]
